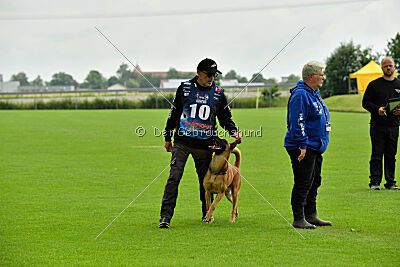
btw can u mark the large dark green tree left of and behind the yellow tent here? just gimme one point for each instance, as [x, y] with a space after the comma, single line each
[345, 59]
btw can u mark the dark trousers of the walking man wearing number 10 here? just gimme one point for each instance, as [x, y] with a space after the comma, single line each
[180, 154]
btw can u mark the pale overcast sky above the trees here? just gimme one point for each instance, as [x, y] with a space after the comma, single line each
[44, 37]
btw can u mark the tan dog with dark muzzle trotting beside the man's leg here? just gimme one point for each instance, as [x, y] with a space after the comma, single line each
[223, 178]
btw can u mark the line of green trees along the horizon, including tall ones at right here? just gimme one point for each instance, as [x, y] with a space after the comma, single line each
[345, 59]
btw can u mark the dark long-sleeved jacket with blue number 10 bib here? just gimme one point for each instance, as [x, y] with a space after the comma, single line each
[194, 113]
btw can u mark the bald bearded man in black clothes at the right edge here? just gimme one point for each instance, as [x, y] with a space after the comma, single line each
[384, 127]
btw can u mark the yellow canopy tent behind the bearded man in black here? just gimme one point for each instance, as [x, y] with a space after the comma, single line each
[366, 74]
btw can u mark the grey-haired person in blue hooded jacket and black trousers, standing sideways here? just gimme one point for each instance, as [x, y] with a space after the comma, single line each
[307, 137]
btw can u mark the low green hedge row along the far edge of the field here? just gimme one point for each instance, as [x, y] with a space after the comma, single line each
[151, 102]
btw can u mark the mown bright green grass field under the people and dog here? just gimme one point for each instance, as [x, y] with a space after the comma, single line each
[66, 174]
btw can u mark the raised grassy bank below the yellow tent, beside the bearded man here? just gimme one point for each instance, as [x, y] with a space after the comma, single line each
[351, 103]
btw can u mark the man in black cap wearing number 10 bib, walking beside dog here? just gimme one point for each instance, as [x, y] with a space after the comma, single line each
[197, 104]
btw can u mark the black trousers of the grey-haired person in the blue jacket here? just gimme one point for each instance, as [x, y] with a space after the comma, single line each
[307, 179]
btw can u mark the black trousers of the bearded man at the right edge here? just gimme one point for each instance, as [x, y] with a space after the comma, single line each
[384, 144]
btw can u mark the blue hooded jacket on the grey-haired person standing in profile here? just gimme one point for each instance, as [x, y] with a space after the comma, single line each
[307, 119]
